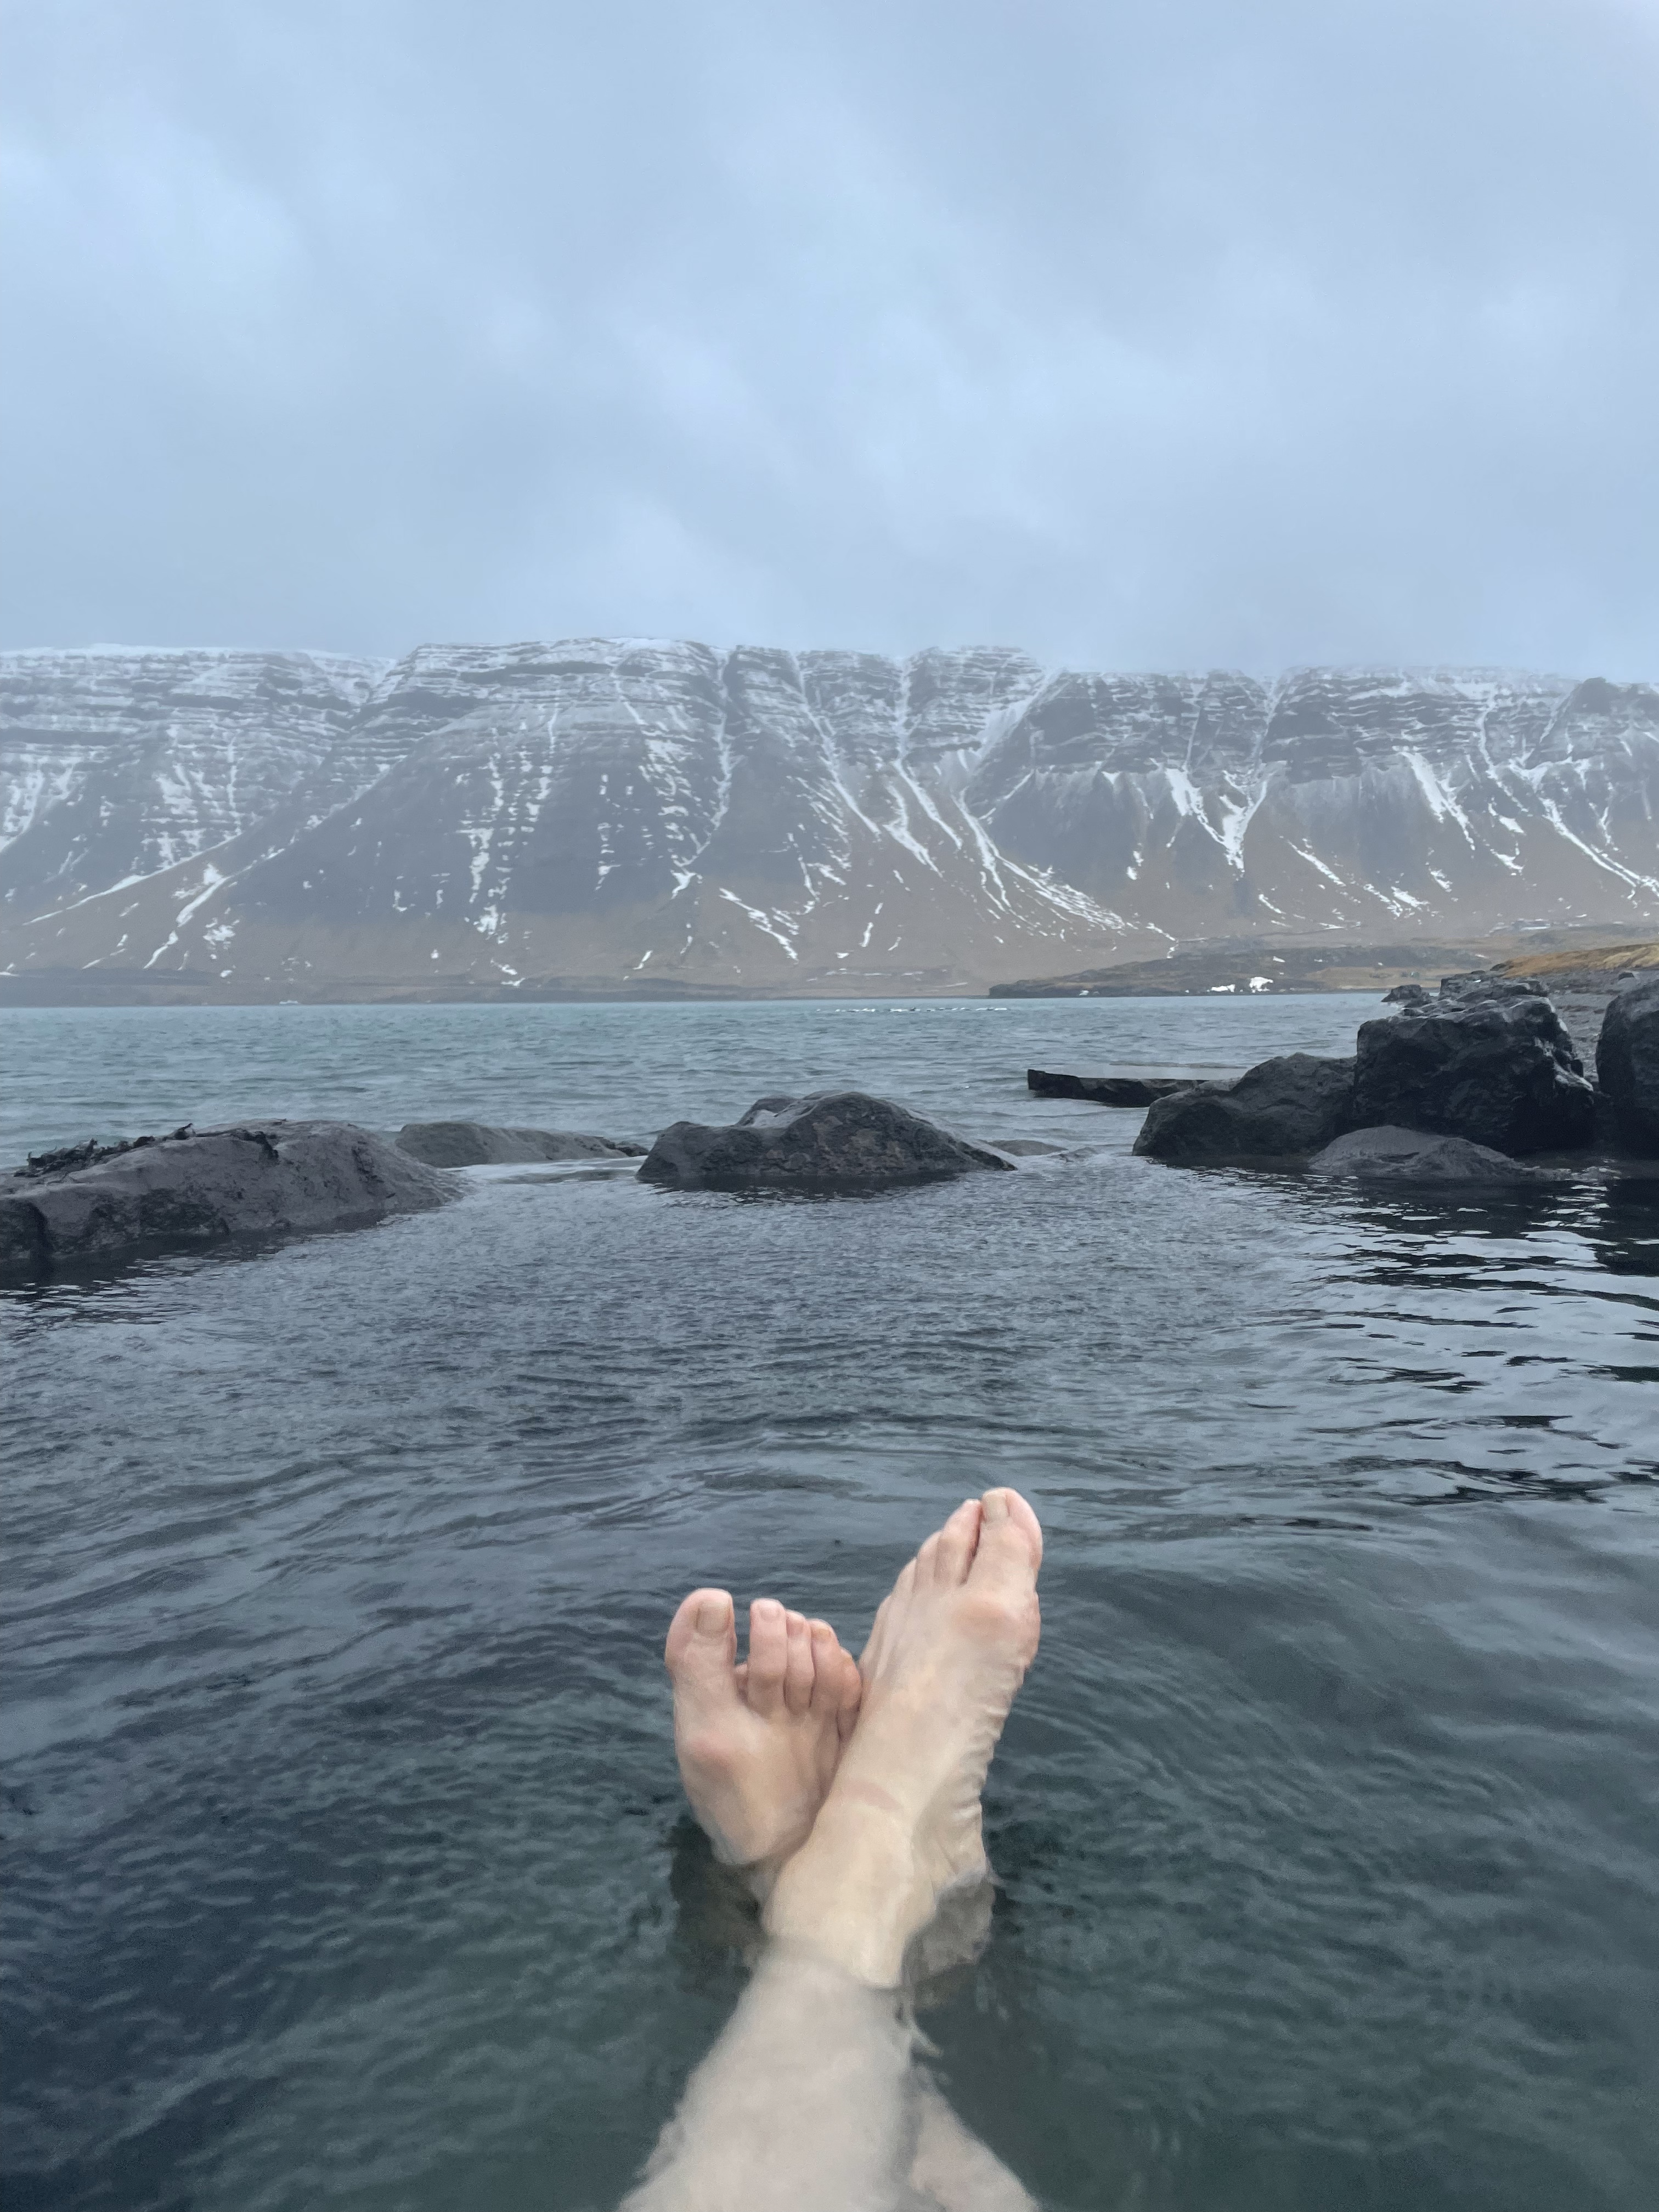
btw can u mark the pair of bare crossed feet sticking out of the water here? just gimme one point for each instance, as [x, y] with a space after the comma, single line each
[851, 1791]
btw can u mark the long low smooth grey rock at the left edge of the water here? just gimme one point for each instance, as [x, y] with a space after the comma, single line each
[98, 1207]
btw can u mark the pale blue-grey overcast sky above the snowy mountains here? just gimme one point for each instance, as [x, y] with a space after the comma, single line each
[1204, 333]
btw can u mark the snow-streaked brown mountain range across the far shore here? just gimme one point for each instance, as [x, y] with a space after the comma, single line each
[612, 811]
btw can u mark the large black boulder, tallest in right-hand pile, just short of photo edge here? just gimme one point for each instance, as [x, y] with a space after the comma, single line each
[1499, 1070]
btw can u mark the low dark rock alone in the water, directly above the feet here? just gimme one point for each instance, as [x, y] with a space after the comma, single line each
[824, 1140]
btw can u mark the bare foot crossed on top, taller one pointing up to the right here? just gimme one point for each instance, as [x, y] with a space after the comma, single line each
[901, 1822]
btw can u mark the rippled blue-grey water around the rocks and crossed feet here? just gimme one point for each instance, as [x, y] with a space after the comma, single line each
[346, 1857]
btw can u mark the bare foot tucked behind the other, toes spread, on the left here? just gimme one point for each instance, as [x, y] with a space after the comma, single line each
[760, 1742]
